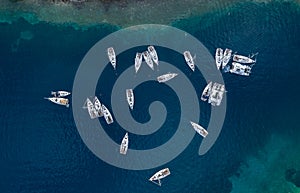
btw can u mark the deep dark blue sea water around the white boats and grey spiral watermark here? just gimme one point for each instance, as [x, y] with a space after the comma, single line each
[41, 150]
